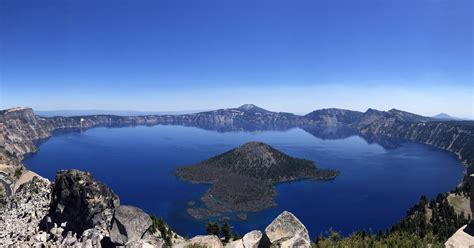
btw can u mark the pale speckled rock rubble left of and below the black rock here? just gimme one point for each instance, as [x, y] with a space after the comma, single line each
[27, 209]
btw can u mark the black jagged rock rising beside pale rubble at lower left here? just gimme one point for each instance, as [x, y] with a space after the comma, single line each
[80, 202]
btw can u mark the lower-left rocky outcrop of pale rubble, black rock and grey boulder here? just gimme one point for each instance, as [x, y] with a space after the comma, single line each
[74, 211]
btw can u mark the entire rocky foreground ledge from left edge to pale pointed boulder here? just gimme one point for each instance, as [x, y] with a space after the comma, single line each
[78, 211]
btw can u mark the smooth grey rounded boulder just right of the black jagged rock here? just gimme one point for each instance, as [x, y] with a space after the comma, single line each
[129, 224]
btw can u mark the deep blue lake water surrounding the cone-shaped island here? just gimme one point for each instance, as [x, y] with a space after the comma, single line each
[375, 188]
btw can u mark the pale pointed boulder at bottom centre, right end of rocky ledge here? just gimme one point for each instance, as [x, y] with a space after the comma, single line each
[287, 231]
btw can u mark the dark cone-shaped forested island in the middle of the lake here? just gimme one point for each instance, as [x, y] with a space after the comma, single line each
[243, 178]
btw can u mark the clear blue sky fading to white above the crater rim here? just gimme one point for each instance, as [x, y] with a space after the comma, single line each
[293, 56]
